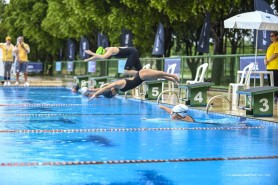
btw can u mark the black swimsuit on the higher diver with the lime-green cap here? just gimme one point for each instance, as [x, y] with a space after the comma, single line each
[132, 58]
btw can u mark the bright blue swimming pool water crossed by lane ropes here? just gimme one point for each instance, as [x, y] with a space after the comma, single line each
[52, 136]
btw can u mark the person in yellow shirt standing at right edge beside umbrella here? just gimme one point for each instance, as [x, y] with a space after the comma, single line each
[271, 59]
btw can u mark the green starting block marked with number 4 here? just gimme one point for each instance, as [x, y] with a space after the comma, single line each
[195, 94]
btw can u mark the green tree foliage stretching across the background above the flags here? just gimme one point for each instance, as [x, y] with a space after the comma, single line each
[46, 24]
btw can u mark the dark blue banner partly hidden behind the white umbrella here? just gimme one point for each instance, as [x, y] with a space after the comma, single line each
[263, 36]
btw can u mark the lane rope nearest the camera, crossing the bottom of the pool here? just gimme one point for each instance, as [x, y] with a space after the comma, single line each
[64, 163]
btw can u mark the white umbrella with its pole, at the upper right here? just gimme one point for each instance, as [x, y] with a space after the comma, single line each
[256, 20]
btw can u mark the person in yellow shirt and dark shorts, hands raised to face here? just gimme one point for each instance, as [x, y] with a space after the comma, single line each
[21, 50]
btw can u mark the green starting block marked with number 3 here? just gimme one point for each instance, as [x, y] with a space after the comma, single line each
[259, 101]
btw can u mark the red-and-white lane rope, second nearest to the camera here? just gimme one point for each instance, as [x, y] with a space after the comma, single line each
[126, 129]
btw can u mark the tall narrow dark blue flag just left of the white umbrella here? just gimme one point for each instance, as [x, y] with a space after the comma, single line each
[203, 43]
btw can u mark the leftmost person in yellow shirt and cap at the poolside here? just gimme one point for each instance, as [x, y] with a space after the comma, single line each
[7, 51]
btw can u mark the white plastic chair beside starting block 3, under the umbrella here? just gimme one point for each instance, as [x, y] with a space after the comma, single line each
[243, 83]
